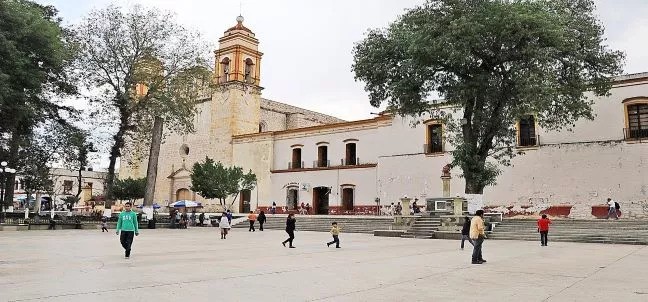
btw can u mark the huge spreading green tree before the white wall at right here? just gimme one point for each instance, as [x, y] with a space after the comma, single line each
[495, 62]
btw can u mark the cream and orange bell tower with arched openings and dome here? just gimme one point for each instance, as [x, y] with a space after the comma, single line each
[236, 102]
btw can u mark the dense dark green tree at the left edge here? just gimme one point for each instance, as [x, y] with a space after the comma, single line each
[34, 55]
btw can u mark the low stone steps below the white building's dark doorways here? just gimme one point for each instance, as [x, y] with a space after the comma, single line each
[348, 224]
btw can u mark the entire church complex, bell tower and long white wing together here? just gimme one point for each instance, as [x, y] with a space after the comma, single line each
[351, 167]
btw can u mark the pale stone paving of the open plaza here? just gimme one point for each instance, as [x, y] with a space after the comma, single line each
[195, 265]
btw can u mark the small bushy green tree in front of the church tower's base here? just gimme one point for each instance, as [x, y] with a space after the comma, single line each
[212, 180]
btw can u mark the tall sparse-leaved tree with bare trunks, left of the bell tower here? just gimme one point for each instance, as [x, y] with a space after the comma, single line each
[147, 70]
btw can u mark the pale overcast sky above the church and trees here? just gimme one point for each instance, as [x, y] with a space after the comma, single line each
[307, 44]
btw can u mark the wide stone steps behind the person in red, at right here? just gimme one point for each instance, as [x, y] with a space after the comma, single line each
[589, 231]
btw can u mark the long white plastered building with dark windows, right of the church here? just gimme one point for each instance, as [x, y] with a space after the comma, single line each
[567, 173]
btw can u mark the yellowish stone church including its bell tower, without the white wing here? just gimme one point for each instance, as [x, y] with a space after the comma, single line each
[234, 108]
